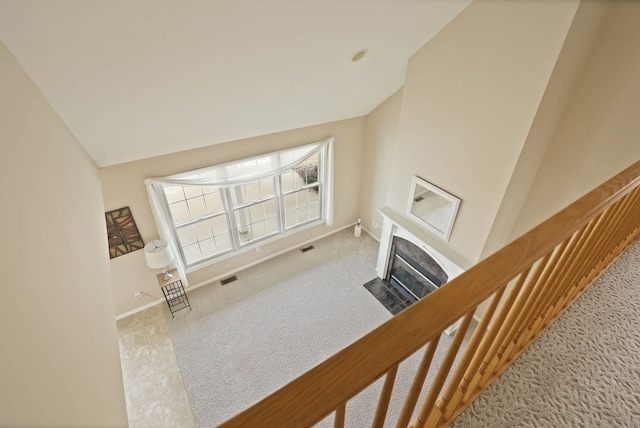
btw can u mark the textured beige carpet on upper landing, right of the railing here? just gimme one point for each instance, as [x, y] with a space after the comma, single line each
[584, 371]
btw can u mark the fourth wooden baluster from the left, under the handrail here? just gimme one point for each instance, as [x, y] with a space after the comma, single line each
[445, 366]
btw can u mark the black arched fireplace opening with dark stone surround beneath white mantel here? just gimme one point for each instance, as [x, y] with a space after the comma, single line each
[412, 272]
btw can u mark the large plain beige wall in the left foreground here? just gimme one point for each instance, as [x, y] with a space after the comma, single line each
[60, 362]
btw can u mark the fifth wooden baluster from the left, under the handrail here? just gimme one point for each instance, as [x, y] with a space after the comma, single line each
[448, 401]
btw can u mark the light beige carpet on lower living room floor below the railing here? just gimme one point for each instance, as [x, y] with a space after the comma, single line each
[245, 340]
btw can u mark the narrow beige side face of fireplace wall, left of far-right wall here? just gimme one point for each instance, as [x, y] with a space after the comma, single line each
[584, 30]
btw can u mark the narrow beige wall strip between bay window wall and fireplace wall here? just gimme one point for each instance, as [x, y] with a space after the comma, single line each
[379, 141]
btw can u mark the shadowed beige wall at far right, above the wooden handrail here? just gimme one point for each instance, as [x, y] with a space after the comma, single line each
[600, 132]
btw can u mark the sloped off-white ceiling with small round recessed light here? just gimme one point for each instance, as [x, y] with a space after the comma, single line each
[135, 79]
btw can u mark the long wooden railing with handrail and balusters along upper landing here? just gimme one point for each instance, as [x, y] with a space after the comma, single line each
[527, 285]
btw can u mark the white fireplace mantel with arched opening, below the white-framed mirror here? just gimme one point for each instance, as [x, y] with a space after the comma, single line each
[394, 224]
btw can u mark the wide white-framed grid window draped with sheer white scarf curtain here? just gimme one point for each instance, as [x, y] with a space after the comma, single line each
[223, 209]
